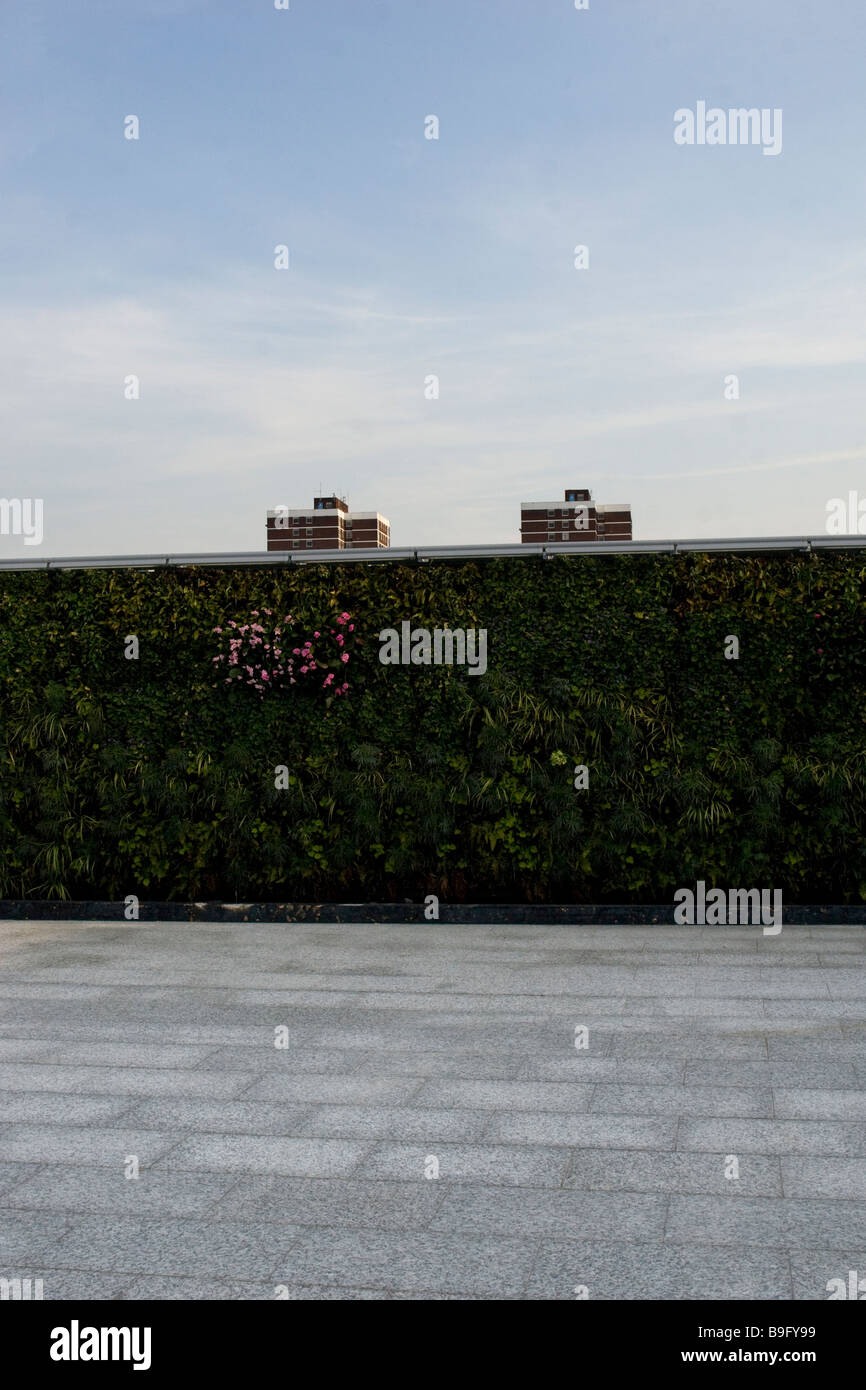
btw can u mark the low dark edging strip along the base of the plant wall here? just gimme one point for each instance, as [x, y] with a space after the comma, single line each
[395, 913]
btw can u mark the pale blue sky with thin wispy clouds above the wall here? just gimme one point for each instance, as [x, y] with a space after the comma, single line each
[414, 258]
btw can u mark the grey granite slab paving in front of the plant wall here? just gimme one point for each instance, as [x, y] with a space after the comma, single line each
[290, 1095]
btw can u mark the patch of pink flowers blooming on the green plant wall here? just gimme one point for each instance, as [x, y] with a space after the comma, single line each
[265, 655]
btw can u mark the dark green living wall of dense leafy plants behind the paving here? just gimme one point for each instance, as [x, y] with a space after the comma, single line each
[158, 778]
